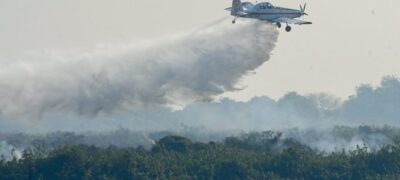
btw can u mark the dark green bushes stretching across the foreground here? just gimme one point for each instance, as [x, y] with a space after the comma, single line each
[174, 157]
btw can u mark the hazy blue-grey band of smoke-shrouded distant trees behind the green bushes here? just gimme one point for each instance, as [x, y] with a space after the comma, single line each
[319, 121]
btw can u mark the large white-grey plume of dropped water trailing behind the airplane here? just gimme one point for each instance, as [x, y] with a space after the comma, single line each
[196, 66]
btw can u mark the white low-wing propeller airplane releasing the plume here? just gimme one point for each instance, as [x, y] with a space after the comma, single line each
[265, 11]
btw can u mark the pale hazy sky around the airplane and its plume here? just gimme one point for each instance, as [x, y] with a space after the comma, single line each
[350, 42]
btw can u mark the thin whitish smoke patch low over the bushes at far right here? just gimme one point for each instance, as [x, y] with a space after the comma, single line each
[340, 138]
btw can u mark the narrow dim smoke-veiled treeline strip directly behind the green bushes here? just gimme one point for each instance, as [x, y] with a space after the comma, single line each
[328, 139]
